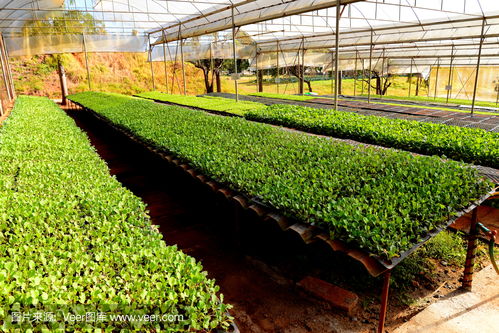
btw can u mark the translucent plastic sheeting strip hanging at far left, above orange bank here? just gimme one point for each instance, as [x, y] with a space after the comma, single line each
[51, 44]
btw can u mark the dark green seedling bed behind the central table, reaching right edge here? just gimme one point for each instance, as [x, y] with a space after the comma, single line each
[472, 145]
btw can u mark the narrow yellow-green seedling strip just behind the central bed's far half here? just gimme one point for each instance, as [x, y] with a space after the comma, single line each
[208, 103]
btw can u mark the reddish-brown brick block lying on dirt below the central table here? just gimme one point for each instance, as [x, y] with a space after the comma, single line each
[336, 296]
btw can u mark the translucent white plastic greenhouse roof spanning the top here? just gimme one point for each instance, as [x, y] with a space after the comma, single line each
[403, 30]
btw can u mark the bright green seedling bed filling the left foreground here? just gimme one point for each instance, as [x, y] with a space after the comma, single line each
[74, 241]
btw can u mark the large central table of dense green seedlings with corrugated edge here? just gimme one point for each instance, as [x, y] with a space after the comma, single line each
[382, 201]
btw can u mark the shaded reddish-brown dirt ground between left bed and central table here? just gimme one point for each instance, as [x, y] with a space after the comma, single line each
[259, 276]
